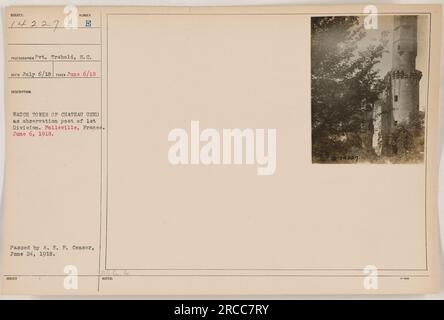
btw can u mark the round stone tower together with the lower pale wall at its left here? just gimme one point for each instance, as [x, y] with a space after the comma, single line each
[401, 96]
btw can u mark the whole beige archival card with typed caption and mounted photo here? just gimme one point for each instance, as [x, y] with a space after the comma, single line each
[241, 150]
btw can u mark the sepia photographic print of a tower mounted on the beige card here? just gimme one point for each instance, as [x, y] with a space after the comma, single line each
[369, 89]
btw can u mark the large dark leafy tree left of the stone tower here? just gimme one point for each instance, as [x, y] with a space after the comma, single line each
[345, 85]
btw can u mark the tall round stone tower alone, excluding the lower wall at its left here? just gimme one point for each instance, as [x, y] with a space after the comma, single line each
[404, 76]
